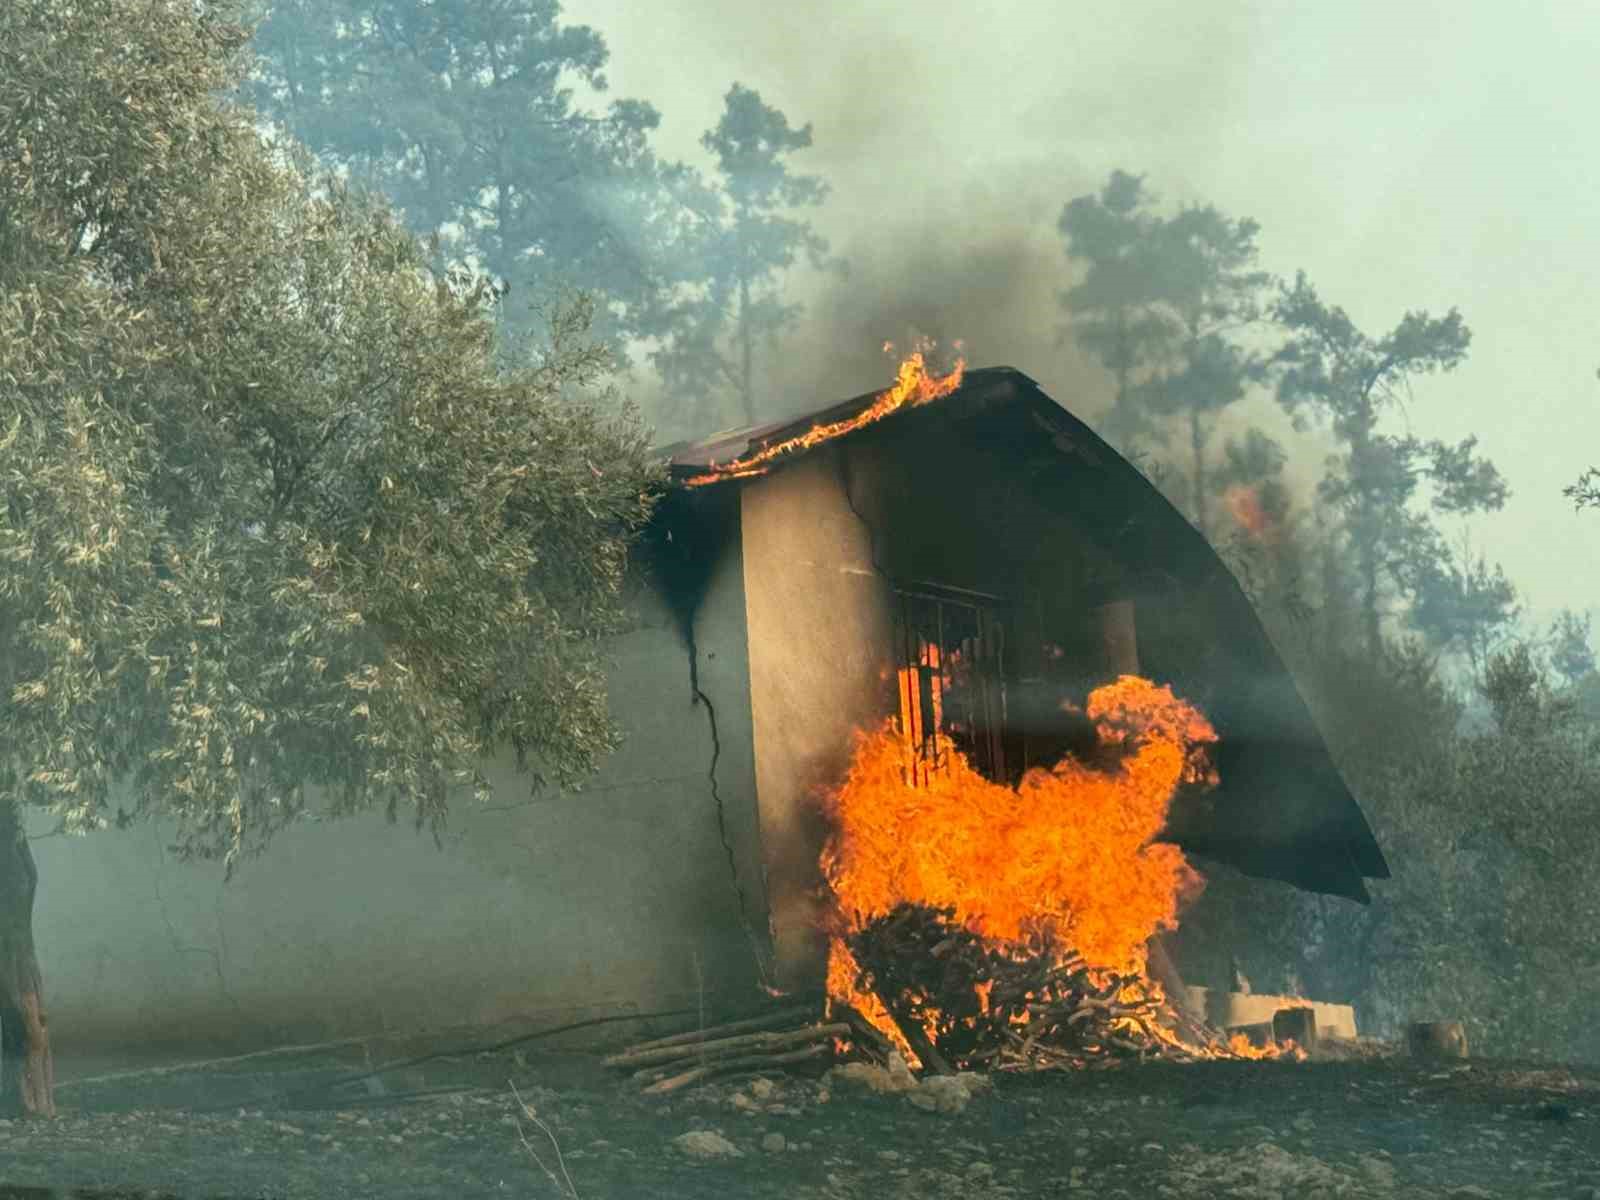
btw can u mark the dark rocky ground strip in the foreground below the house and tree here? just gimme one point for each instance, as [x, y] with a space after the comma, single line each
[1281, 1130]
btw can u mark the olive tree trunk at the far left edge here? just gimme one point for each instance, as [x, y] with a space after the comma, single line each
[26, 1076]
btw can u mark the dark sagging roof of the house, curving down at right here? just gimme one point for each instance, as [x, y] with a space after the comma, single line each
[1282, 810]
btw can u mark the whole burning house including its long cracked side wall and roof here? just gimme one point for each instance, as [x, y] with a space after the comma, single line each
[935, 655]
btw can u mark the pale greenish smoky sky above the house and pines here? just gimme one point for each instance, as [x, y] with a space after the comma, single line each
[1414, 156]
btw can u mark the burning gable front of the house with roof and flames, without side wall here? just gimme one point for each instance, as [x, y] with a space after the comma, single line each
[988, 671]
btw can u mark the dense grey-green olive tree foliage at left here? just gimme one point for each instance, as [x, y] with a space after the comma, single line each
[278, 535]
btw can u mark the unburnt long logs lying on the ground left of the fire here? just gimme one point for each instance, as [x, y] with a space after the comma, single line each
[783, 1039]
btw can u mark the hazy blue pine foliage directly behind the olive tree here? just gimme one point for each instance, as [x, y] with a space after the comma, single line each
[465, 114]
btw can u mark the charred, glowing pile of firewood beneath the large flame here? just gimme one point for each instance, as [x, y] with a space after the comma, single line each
[961, 1002]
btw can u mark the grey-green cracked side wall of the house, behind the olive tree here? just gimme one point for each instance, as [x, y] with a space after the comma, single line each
[561, 906]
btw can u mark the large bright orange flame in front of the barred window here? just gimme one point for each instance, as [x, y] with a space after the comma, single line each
[1070, 852]
